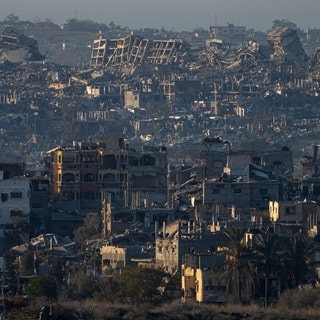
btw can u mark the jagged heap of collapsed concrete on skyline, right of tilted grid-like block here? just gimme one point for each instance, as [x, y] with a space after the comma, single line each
[283, 47]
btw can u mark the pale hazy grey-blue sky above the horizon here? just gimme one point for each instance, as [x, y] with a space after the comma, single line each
[172, 14]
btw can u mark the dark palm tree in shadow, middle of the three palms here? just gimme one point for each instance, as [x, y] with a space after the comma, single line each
[267, 250]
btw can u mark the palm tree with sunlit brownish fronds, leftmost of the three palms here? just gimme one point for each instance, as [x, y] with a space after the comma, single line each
[238, 269]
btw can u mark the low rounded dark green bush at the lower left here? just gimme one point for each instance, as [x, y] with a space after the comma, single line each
[42, 287]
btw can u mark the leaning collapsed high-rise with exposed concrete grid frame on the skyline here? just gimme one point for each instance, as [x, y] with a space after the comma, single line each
[137, 50]
